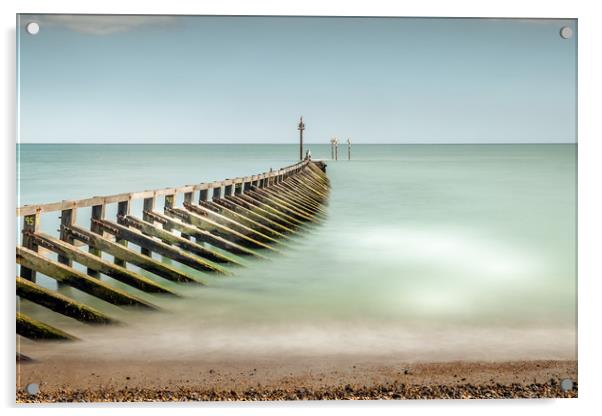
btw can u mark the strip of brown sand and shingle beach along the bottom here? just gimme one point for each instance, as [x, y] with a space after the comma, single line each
[289, 378]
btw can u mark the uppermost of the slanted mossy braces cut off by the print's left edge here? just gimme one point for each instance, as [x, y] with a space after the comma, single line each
[78, 280]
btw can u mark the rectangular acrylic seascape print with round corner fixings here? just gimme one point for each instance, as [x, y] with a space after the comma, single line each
[289, 208]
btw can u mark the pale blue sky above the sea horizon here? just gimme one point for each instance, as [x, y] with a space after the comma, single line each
[216, 79]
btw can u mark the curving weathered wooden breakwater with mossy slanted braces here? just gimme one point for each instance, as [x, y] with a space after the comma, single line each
[211, 230]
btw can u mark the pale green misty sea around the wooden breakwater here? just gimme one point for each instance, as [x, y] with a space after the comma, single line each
[427, 252]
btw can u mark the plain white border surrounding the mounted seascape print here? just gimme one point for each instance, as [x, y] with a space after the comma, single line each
[590, 209]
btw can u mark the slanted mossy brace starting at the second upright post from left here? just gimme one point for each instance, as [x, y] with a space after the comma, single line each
[130, 256]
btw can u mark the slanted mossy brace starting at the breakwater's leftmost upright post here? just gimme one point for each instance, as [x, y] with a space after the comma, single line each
[100, 265]
